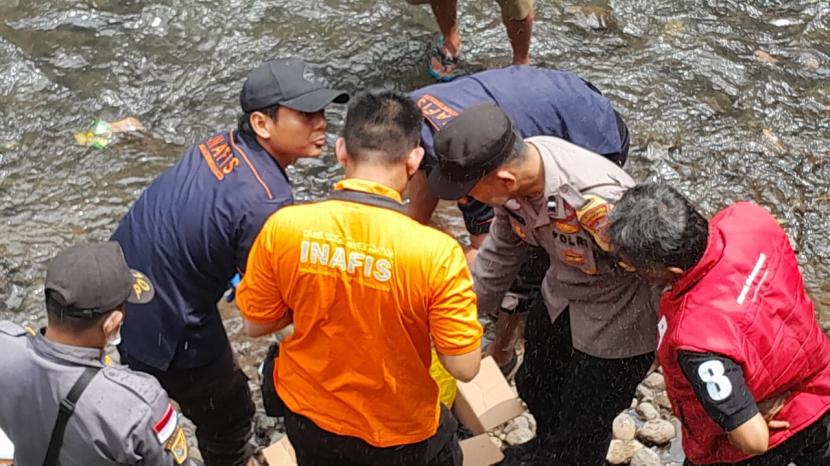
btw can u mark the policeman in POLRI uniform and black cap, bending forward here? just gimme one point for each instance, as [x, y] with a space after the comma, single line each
[597, 336]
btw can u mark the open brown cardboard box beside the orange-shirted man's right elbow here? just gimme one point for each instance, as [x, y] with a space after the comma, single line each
[487, 401]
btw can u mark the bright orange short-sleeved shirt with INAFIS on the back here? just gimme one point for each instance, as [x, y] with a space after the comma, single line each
[370, 291]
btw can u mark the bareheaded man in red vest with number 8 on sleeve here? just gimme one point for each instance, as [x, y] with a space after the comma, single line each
[747, 365]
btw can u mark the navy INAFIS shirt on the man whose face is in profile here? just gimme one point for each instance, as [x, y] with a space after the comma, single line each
[190, 232]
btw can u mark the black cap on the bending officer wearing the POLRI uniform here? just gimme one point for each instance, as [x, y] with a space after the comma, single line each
[470, 146]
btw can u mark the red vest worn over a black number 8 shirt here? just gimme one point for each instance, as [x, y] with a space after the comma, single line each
[745, 299]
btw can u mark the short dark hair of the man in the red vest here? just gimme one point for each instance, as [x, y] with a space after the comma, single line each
[653, 227]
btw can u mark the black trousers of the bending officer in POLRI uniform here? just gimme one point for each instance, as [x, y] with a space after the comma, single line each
[573, 396]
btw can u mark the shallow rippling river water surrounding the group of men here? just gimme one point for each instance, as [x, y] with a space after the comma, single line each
[727, 99]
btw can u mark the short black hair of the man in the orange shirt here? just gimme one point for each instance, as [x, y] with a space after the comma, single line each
[382, 126]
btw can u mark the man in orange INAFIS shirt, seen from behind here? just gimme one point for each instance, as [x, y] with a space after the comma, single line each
[369, 291]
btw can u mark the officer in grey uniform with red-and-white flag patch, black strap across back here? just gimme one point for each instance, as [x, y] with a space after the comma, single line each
[120, 416]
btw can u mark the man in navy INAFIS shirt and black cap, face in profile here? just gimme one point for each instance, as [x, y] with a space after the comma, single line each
[190, 232]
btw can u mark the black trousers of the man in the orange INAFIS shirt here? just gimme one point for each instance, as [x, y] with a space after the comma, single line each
[317, 447]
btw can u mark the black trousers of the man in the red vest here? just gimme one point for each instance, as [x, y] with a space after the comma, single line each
[810, 447]
